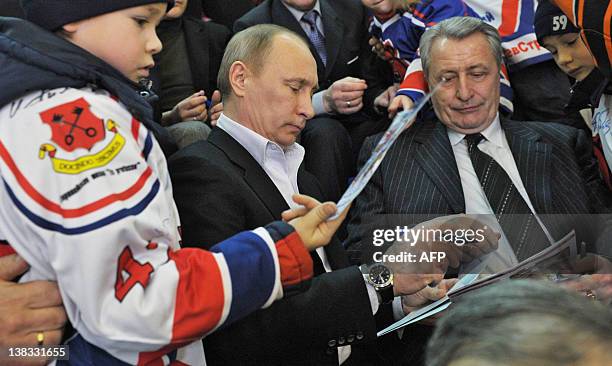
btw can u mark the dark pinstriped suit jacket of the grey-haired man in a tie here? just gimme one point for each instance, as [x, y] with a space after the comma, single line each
[419, 176]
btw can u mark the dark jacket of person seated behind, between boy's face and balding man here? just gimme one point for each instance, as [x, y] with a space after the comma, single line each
[206, 43]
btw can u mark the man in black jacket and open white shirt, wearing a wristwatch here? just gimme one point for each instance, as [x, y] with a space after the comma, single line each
[246, 172]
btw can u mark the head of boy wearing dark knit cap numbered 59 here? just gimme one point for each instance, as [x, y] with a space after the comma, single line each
[559, 36]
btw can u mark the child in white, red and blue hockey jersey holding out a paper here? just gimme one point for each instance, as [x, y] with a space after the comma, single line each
[86, 198]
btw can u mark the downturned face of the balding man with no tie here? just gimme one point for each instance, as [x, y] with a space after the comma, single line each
[277, 100]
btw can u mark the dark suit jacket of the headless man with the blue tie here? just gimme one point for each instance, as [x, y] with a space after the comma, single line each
[346, 37]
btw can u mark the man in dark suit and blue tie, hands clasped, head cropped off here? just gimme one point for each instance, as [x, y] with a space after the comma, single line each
[350, 78]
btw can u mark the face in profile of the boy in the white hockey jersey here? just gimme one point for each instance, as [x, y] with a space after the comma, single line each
[126, 39]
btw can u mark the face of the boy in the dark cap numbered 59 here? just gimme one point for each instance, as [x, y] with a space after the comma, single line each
[570, 54]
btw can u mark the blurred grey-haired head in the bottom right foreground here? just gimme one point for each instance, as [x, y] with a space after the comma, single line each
[521, 322]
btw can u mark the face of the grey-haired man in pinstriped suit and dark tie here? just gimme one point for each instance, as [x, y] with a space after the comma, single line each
[467, 72]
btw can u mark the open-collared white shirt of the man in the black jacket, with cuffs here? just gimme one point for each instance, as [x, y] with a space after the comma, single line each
[282, 166]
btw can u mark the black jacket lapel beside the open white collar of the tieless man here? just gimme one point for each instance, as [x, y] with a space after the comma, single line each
[253, 175]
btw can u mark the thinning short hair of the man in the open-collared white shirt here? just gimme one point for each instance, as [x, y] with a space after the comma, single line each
[250, 46]
